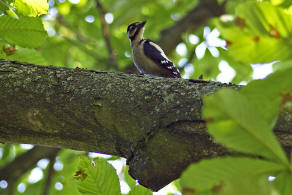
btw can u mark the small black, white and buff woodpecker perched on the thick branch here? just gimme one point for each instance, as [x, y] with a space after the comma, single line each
[148, 57]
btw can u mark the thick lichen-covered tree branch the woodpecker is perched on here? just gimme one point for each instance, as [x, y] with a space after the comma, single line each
[154, 122]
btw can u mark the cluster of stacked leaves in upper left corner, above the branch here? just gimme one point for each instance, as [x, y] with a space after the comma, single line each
[19, 32]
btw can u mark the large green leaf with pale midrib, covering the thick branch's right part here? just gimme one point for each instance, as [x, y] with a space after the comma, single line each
[235, 122]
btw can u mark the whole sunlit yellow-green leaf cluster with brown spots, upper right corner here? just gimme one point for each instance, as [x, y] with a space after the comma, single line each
[260, 33]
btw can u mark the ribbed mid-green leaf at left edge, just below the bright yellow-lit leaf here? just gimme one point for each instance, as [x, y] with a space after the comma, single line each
[26, 32]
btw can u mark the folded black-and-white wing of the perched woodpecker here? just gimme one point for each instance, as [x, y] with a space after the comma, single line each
[156, 54]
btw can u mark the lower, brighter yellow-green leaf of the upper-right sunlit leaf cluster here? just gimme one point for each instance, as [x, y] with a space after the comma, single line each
[248, 47]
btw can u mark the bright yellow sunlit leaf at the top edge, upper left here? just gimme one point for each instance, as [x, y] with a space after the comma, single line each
[32, 8]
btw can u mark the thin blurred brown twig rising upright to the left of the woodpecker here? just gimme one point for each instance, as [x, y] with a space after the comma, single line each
[106, 35]
